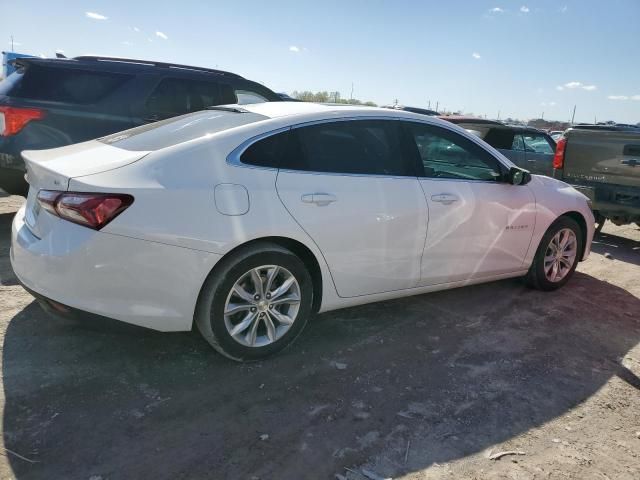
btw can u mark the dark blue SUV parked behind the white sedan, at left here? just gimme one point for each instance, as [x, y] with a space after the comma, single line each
[54, 102]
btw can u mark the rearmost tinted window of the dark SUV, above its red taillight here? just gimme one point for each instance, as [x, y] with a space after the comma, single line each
[56, 84]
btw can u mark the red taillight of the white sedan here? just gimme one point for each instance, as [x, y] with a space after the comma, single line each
[93, 210]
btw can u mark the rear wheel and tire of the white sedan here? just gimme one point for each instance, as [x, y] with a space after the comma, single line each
[255, 303]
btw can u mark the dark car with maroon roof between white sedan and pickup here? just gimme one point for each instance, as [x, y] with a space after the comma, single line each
[527, 147]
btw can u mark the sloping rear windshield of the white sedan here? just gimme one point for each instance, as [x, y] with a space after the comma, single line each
[172, 131]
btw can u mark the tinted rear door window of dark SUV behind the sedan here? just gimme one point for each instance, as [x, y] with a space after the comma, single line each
[176, 96]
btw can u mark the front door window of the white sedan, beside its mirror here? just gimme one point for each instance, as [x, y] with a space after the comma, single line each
[446, 154]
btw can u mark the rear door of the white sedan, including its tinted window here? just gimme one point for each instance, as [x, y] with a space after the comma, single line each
[351, 187]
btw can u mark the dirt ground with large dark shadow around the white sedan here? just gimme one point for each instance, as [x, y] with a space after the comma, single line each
[426, 387]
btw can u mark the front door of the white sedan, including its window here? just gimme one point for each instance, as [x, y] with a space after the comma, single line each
[479, 225]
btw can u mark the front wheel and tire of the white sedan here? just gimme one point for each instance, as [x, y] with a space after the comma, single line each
[557, 256]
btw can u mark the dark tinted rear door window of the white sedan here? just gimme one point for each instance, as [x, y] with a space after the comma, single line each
[368, 147]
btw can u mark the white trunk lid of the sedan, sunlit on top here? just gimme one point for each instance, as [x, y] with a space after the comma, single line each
[52, 169]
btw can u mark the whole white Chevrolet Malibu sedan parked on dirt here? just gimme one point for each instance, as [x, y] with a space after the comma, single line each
[248, 219]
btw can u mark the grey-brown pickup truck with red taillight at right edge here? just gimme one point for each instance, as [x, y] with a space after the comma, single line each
[603, 162]
